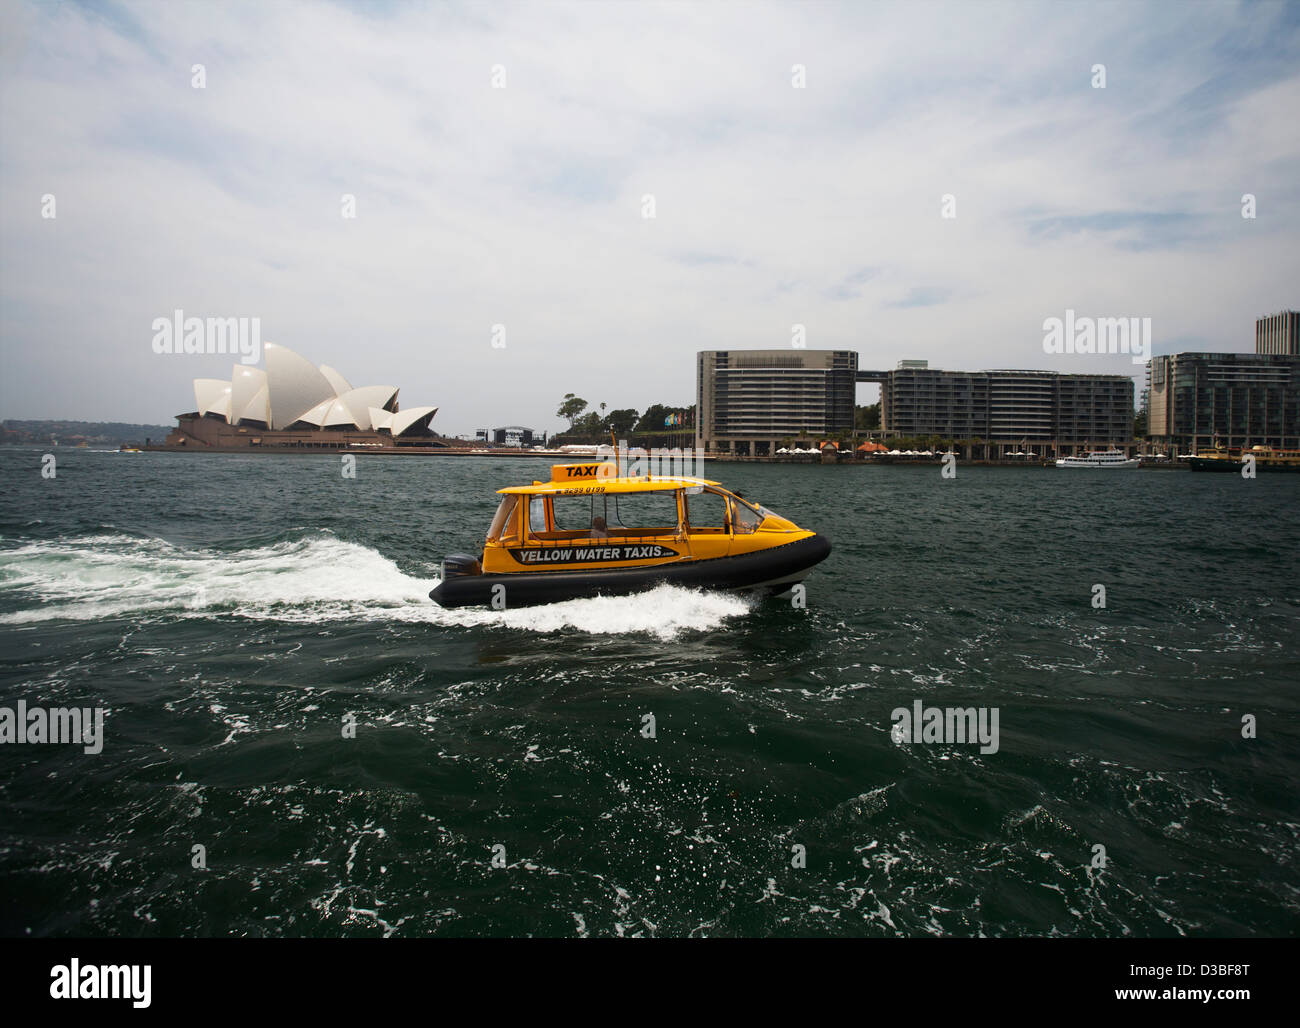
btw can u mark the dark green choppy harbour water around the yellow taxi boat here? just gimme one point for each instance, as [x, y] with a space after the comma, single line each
[232, 611]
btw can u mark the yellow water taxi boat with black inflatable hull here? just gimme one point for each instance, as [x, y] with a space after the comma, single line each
[593, 532]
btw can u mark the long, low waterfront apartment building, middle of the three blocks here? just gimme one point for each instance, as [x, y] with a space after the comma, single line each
[1050, 413]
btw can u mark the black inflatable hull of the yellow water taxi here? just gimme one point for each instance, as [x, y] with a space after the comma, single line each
[751, 571]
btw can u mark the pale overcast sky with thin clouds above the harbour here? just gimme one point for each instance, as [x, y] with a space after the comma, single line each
[523, 206]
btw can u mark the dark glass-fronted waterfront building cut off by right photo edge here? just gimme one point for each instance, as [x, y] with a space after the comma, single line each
[1201, 401]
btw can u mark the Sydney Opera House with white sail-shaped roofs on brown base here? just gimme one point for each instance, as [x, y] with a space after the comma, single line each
[294, 405]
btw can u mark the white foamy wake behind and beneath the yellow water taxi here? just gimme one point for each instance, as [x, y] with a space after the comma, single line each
[311, 580]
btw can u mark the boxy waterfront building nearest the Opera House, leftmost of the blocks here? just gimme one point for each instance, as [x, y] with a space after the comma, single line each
[749, 401]
